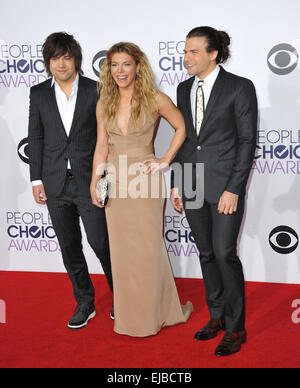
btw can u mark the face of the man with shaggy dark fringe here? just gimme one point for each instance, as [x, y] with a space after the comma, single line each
[63, 68]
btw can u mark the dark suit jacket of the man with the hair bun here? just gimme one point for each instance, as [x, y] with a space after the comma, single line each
[227, 140]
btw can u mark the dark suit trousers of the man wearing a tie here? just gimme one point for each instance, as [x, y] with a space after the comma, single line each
[216, 238]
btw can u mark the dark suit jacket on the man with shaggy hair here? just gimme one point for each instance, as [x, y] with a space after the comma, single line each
[49, 146]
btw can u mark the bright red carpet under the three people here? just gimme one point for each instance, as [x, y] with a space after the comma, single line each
[38, 306]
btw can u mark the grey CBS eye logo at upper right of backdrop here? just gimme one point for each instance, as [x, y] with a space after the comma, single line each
[283, 59]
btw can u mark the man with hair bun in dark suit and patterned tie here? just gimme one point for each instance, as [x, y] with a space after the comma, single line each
[220, 111]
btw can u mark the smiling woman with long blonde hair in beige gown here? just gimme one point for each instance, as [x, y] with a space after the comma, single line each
[145, 294]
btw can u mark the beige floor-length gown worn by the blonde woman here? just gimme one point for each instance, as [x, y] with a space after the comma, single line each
[145, 294]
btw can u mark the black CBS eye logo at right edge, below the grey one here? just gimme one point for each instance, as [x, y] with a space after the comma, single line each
[284, 240]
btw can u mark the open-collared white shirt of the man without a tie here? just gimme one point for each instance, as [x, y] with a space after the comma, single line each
[66, 109]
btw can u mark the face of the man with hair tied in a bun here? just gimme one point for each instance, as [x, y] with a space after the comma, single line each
[197, 60]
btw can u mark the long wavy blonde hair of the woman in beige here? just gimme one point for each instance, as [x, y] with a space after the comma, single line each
[143, 103]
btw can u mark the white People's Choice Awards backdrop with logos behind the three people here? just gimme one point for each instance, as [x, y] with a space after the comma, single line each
[265, 48]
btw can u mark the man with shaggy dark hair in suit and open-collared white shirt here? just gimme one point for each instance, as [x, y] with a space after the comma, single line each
[62, 139]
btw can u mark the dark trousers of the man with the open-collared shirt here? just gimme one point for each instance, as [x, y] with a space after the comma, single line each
[65, 213]
